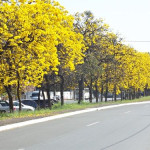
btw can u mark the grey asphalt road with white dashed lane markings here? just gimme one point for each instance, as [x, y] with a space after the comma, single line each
[121, 128]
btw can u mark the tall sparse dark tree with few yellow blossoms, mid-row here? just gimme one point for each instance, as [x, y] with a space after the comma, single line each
[92, 29]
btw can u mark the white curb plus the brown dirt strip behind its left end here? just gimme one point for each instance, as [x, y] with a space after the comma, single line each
[20, 122]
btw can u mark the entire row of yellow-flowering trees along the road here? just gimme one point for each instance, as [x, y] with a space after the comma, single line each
[42, 45]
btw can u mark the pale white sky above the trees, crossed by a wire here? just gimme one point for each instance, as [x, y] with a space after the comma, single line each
[128, 18]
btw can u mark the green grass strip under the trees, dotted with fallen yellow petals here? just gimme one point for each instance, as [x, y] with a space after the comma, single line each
[58, 109]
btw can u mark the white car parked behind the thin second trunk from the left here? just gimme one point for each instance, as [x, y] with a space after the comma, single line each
[23, 107]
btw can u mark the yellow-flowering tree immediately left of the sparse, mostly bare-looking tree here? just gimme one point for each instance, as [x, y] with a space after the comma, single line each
[69, 52]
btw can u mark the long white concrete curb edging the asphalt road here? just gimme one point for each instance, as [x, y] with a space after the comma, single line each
[35, 121]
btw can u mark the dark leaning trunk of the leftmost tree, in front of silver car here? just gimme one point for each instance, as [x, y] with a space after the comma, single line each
[8, 90]
